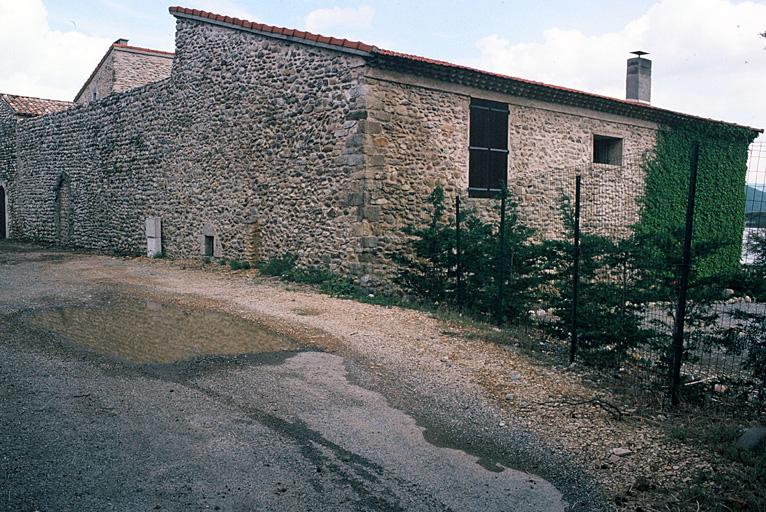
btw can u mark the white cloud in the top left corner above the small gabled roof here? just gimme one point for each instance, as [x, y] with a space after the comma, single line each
[38, 61]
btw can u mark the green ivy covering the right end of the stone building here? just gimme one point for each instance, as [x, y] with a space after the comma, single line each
[720, 199]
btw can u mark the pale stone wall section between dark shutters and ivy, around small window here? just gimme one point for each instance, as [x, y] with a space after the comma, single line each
[548, 148]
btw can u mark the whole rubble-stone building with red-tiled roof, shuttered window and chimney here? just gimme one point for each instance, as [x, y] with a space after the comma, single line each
[264, 140]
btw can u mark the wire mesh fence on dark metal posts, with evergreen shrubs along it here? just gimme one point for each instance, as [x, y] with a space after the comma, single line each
[572, 257]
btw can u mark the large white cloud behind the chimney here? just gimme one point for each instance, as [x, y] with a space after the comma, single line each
[707, 58]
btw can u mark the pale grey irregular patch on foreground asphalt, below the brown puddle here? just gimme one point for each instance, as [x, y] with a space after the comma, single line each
[363, 430]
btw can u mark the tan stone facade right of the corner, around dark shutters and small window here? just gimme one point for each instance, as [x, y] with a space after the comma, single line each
[418, 137]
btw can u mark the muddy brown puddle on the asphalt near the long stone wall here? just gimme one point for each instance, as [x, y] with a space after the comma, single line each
[153, 332]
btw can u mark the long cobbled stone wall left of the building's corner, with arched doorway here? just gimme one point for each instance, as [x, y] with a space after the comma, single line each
[249, 140]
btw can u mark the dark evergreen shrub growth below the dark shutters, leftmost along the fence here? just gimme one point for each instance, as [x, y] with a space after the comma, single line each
[431, 271]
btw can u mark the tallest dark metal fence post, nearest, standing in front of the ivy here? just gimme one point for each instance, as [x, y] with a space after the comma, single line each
[683, 281]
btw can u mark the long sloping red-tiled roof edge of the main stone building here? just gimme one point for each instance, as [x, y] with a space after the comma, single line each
[458, 73]
